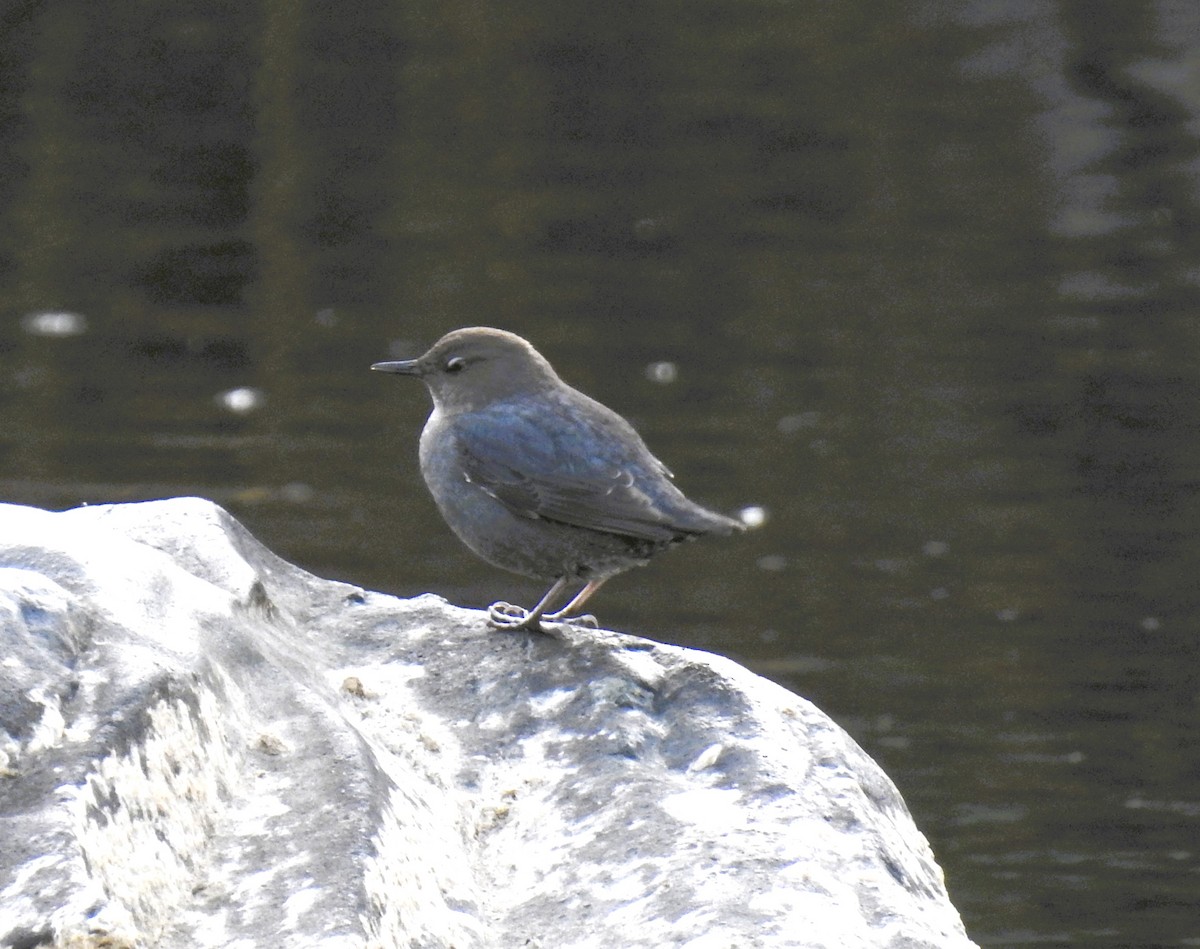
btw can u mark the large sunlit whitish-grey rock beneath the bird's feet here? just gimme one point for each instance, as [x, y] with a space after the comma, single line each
[207, 747]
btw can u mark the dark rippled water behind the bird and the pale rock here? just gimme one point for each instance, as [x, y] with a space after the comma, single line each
[928, 277]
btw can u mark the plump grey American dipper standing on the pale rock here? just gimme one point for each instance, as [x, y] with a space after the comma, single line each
[539, 479]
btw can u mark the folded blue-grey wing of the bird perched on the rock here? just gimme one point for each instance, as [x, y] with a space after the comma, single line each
[577, 469]
